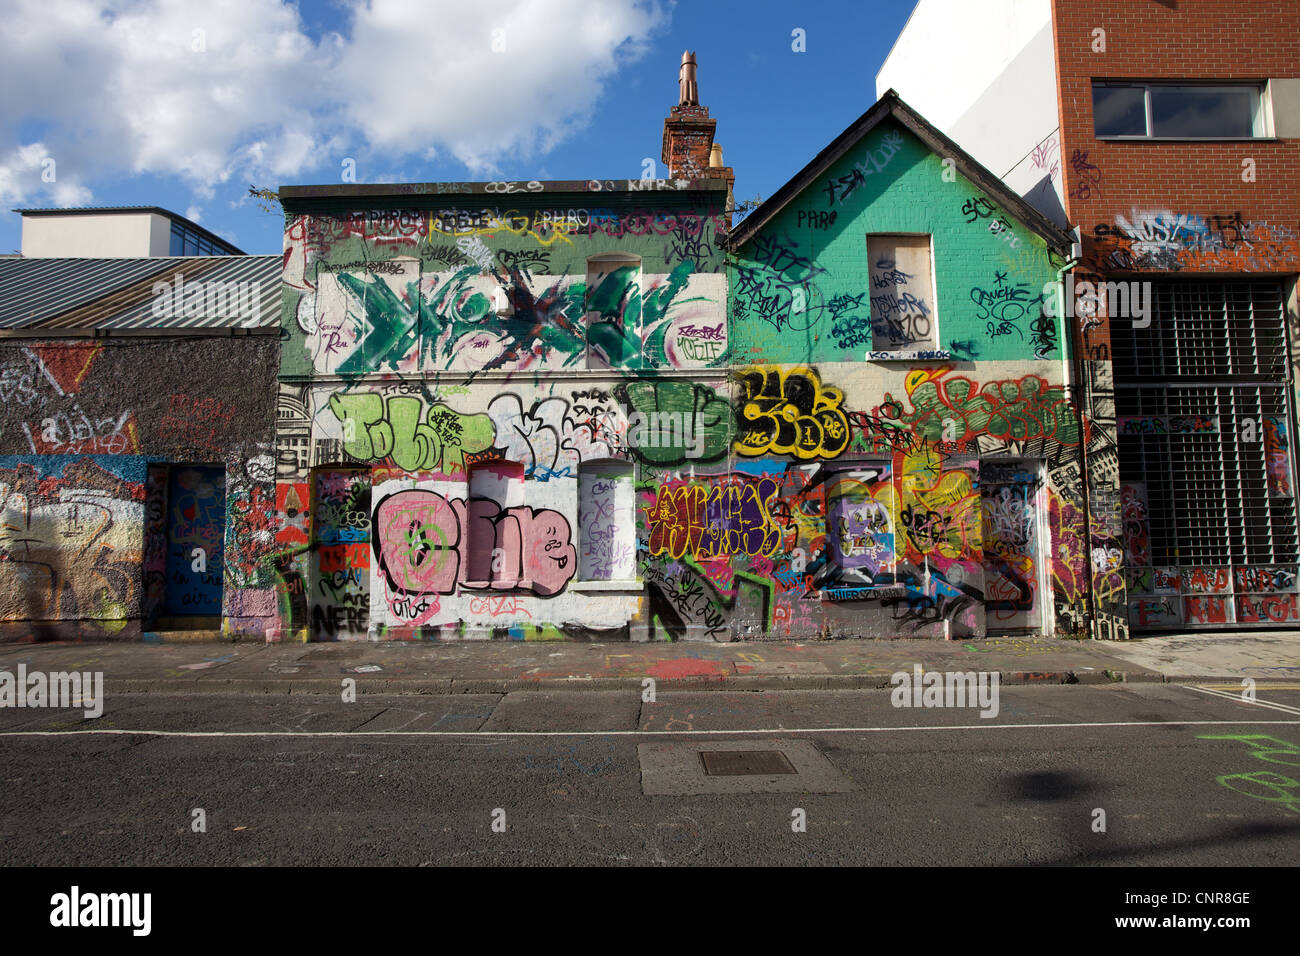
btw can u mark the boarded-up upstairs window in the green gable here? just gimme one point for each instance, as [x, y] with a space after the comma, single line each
[903, 293]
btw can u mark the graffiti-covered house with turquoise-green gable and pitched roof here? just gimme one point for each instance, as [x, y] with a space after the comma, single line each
[905, 395]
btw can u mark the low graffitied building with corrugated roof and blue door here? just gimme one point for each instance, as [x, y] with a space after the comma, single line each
[137, 477]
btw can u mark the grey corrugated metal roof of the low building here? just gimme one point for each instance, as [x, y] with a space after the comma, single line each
[118, 295]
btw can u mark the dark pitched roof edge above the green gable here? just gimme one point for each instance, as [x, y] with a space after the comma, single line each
[890, 106]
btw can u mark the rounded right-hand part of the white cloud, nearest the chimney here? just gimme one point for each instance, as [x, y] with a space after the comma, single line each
[484, 80]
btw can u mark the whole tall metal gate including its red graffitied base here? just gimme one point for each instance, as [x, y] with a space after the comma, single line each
[1204, 418]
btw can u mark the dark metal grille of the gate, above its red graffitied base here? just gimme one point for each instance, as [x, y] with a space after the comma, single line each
[1203, 379]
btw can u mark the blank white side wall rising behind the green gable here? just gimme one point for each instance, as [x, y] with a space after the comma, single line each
[985, 73]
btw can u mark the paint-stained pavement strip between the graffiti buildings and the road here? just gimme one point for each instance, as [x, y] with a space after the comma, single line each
[508, 667]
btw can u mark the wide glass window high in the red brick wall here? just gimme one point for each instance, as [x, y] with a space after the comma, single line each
[1168, 111]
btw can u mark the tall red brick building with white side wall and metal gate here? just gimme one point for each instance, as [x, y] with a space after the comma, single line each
[1181, 180]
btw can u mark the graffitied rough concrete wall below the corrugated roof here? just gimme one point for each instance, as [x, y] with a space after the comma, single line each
[99, 503]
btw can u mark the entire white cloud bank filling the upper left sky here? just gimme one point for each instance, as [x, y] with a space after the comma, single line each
[237, 92]
